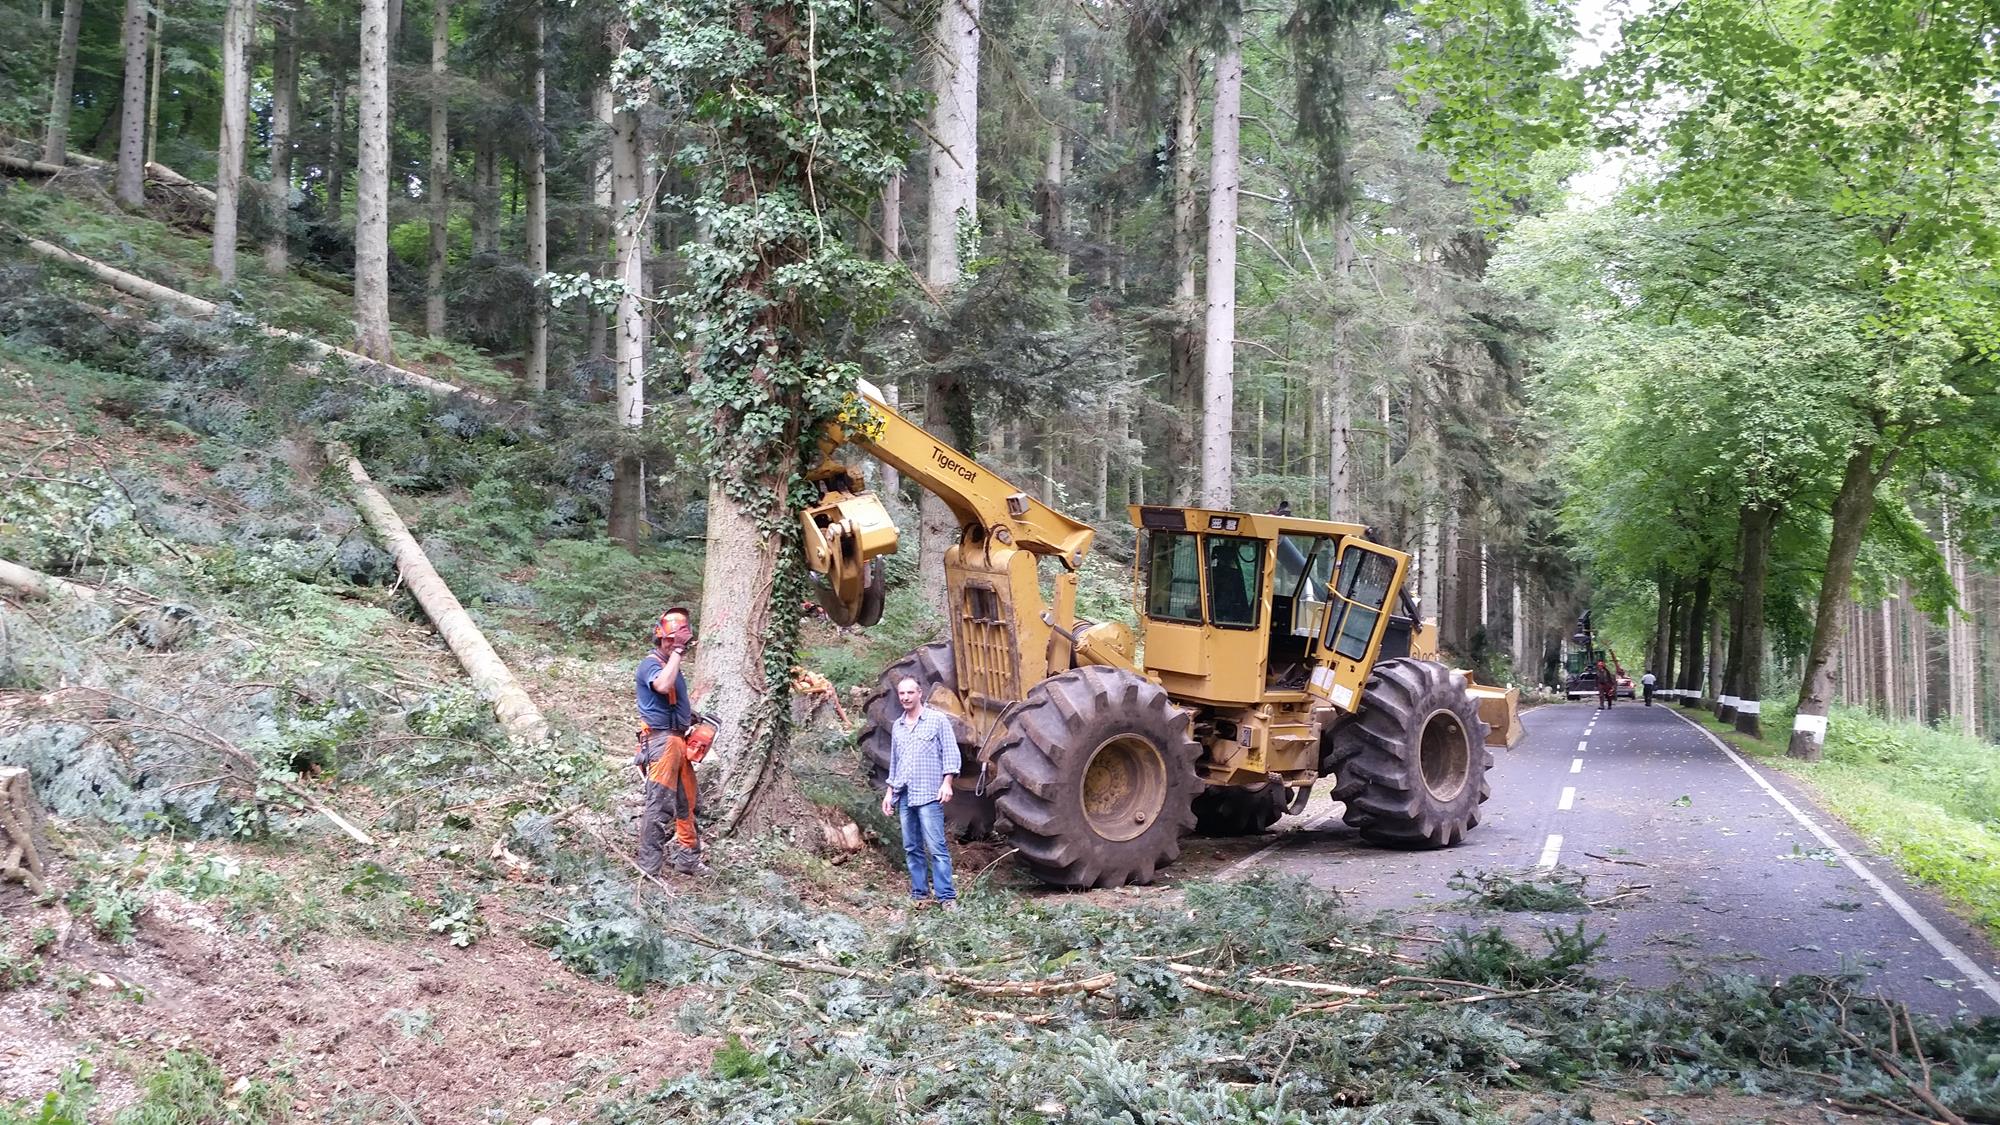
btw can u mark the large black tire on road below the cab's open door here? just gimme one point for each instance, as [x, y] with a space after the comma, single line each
[1413, 766]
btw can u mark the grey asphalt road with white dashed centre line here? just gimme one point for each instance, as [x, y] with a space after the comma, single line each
[1697, 858]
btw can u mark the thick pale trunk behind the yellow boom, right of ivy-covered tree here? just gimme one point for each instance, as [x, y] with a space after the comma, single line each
[955, 163]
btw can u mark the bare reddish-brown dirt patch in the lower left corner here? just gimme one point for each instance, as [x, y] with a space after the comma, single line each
[361, 1030]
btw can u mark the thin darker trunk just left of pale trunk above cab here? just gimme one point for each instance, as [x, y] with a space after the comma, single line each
[1185, 339]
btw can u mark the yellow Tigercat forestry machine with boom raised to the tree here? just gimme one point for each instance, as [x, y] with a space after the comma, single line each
[1271, 660]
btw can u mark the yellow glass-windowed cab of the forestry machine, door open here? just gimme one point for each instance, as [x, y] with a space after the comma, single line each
[1241, 608]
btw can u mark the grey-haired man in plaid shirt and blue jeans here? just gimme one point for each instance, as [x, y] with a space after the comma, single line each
[923, 758]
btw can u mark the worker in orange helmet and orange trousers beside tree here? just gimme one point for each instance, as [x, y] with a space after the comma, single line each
[671, 740]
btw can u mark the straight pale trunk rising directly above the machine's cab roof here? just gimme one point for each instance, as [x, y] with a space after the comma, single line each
[1219, 341]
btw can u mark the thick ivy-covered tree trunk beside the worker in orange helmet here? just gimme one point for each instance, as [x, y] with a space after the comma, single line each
[771, 185]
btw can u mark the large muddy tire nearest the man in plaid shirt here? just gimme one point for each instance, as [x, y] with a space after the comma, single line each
[1101, 776]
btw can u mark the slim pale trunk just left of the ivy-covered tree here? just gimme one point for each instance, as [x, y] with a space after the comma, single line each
[629, 341]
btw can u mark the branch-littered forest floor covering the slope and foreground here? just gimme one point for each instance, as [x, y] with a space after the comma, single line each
[213, 950]
